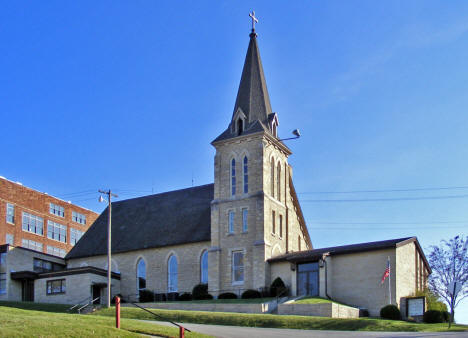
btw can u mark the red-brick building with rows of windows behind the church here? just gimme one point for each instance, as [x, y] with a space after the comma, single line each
[38, 221]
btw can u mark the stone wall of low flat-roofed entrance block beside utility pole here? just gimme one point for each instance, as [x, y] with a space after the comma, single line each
[78, 289]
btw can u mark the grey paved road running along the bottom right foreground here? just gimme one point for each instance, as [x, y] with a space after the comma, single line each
[257, 332]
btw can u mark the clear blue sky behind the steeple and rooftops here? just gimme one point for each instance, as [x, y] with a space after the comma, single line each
[128, 95]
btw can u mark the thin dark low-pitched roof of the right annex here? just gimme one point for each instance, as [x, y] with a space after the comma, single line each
[316, 254]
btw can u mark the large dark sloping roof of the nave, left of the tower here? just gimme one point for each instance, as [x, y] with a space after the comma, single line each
[170, 218]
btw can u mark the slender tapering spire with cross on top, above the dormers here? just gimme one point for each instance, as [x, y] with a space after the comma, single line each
[252, 96]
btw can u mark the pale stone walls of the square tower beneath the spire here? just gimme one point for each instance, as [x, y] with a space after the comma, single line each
[259, 242]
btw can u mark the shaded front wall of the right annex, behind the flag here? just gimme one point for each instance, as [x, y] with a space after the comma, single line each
[354, 279]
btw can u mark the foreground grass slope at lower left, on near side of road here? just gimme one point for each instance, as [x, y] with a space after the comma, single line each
[15, 322]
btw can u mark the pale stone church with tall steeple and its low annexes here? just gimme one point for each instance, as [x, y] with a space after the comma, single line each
[239, 233]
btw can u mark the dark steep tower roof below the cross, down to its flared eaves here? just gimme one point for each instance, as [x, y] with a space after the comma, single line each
[252, 97]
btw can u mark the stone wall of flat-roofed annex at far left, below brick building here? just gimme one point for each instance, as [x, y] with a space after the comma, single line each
[19, 259]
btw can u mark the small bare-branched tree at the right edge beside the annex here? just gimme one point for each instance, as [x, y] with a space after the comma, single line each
[449, 278]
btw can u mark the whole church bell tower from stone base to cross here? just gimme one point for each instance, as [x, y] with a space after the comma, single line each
[249, 213]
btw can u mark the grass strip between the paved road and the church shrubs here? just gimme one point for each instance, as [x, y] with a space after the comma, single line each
[277, 321]
